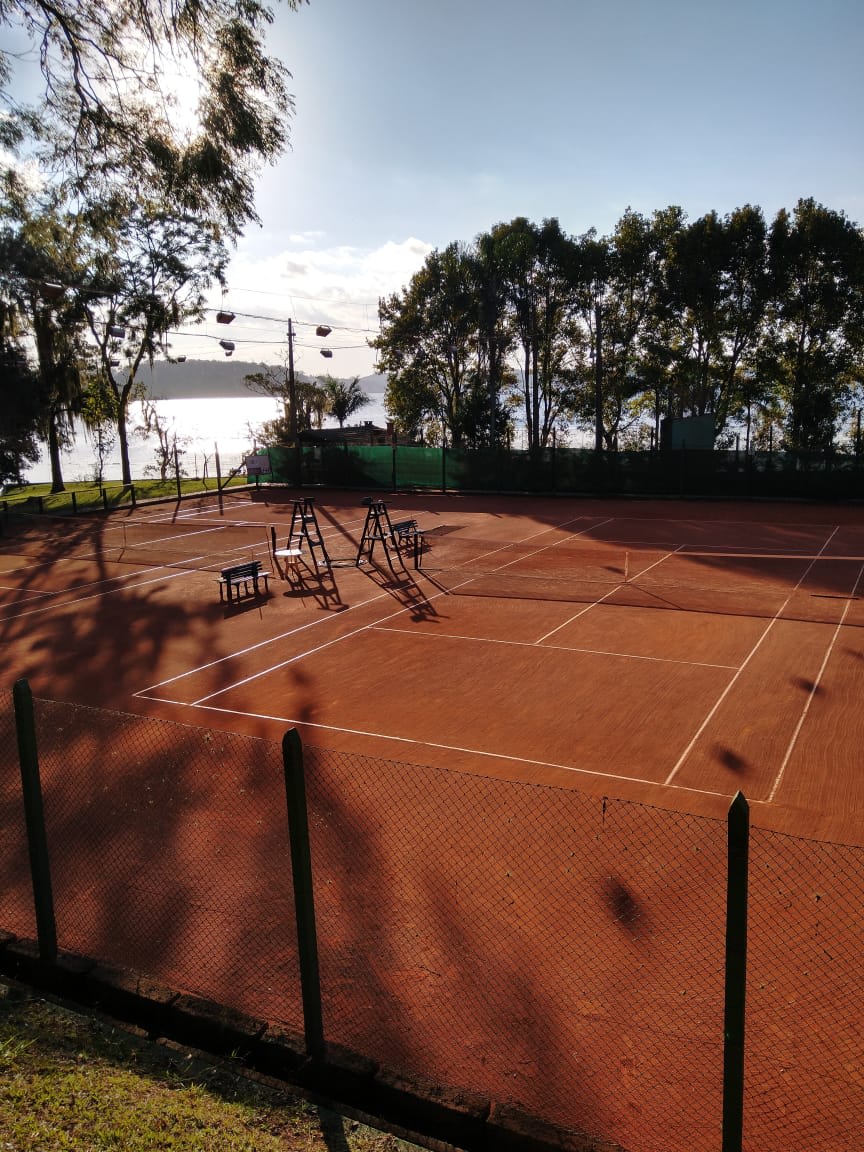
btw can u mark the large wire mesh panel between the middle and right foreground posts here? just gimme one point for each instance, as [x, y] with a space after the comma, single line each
[550, 949]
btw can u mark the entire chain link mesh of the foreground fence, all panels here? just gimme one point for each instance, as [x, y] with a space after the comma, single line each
[562, 952]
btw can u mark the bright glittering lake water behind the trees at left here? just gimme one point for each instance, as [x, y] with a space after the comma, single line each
[230, 425]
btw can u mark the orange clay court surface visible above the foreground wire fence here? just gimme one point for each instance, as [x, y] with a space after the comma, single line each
[653, 650]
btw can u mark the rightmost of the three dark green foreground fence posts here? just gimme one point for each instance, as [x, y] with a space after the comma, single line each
[737, 897]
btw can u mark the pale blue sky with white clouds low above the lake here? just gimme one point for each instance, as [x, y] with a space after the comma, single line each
[420, 123]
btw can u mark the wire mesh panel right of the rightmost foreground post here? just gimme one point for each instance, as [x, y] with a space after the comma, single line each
[805, 1034]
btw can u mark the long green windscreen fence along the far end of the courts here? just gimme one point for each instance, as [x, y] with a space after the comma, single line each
[683, 473]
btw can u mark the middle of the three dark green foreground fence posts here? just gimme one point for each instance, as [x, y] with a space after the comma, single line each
[304, 897]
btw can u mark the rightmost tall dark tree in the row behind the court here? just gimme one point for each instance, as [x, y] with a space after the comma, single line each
[816, 321]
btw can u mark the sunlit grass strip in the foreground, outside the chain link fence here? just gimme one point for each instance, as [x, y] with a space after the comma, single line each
[77, 1083]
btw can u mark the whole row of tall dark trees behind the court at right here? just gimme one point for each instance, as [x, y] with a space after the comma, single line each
[722, 317]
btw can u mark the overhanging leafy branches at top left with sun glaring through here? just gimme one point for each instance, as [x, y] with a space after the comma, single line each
[115, 119]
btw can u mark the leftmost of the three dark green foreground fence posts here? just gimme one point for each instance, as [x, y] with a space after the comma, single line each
[35, 818]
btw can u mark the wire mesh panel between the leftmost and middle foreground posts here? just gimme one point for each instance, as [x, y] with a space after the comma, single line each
[170, 854]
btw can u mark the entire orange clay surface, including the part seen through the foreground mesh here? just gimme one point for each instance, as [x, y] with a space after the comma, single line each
[661, 653]
